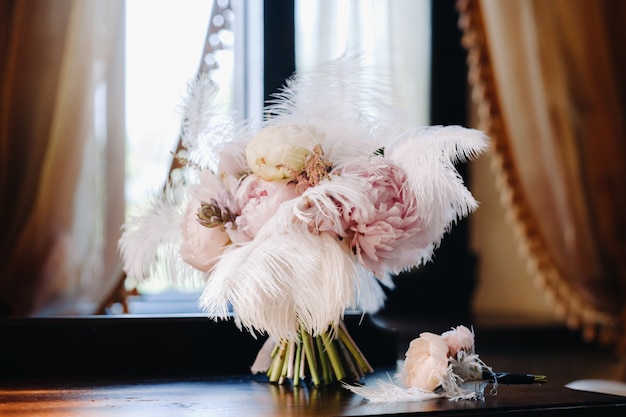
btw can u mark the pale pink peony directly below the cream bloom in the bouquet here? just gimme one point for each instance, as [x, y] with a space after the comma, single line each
[259, 200]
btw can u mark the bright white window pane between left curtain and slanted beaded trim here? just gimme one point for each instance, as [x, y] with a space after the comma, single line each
[163, 43]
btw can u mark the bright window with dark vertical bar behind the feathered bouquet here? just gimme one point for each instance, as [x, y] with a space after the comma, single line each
[395, 33]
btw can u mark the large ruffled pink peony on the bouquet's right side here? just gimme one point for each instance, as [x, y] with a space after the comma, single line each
[385, 233]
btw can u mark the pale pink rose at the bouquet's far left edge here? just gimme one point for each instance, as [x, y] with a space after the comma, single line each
[201, 245]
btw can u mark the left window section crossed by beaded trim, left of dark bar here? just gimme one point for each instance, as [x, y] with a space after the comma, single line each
[167, 43]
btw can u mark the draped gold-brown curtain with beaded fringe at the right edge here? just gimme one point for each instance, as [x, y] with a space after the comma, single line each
[549, 79]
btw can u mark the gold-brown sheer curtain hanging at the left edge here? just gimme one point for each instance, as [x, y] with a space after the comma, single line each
[61, 160]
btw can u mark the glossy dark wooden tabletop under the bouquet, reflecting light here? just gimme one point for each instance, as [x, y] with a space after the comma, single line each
[244, 395]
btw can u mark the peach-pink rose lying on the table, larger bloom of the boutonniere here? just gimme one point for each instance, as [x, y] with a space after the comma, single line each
[426, 362]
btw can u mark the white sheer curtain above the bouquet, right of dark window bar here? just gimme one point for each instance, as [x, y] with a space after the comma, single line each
[395, 34]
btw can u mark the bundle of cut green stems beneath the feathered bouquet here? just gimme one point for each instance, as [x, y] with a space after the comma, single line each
[323, 359]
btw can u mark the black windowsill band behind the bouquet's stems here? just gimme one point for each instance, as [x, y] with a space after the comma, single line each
[151, 345]
